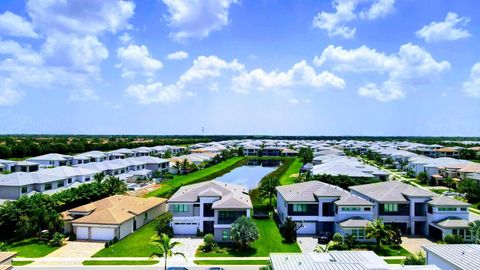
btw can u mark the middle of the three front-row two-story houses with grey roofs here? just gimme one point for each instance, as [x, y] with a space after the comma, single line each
[320, 207]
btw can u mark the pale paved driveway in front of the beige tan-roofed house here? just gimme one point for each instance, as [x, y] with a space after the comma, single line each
[74, 249]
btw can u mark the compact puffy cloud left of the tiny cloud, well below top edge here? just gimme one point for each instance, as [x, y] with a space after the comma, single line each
[135, 59]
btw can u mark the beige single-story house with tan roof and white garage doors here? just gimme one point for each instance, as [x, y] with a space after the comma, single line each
[115, 216]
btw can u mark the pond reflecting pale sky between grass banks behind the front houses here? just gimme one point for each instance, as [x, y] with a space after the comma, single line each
[250, 175]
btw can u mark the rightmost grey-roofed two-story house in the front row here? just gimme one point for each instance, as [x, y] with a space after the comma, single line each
[415, 210]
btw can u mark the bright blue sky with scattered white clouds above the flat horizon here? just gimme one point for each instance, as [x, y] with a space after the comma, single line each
[256, 67]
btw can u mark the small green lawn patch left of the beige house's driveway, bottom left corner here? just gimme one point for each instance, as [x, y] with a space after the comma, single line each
[30, 248]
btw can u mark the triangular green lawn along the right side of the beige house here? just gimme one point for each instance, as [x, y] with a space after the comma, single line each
[134, 245]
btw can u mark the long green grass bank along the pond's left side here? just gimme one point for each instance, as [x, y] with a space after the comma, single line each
[167, 188]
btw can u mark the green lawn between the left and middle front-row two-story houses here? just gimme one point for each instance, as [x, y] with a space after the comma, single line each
[269, 241]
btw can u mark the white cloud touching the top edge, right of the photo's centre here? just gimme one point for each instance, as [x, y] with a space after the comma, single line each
[346, 11]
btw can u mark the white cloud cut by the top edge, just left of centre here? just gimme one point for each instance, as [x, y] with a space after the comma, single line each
[197, 19]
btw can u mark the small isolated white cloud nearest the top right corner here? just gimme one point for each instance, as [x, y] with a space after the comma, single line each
[450, 29]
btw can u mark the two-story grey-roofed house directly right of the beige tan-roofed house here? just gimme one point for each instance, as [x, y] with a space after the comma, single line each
[208, 207]
